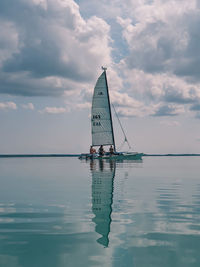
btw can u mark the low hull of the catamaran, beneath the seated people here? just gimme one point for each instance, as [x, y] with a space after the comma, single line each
[119, 156]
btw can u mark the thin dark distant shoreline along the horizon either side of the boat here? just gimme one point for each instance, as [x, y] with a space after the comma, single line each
[77, 155]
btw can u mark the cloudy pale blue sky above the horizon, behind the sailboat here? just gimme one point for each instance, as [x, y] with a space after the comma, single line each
[51, 53]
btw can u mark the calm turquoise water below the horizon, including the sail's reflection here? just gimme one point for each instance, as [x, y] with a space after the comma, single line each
[66, 212]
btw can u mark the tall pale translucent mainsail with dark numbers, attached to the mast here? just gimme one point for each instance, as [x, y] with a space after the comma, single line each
[101, 119]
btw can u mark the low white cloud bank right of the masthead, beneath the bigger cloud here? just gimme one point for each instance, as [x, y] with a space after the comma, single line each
[160, 87]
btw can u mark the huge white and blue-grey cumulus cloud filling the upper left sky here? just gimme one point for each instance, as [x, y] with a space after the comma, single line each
[50, 40]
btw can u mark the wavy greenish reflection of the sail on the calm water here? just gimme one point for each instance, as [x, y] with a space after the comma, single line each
[102, 197]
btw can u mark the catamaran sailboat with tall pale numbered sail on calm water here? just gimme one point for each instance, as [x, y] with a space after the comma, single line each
[102, 124]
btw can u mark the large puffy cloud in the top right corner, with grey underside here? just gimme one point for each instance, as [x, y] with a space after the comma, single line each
[163, 37]
